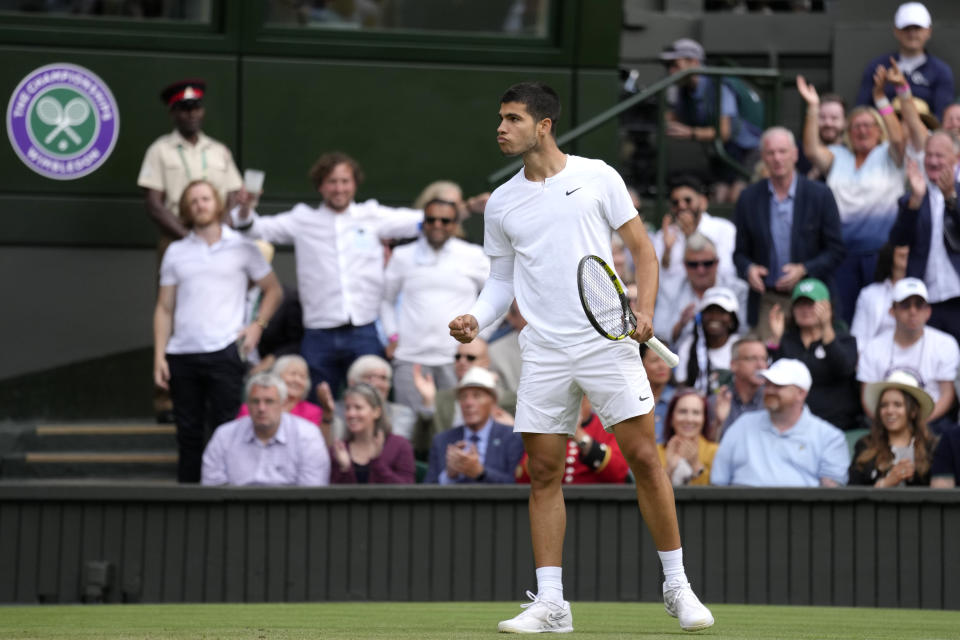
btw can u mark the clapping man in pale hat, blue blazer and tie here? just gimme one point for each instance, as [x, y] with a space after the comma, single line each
[480, 450]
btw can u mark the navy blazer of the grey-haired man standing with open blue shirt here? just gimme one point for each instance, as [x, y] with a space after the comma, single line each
[816, 240]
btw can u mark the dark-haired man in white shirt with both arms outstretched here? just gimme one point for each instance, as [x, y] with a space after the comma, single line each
[339, 263]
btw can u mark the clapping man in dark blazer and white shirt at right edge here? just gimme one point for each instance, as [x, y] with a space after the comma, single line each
[929, 222]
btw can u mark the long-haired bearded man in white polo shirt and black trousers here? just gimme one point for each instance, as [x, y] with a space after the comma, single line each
[200, 340]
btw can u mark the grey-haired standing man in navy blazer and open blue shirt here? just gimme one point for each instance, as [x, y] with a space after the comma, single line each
[788, 228]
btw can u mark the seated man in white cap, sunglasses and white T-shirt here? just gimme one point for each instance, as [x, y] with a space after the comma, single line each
[928, 354]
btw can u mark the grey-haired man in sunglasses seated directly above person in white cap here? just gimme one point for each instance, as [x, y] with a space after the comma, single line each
[677, 305]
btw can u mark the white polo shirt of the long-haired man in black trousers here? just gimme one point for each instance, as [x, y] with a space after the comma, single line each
[211, 293]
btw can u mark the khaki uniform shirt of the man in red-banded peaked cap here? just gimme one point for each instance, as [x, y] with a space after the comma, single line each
[171, 163]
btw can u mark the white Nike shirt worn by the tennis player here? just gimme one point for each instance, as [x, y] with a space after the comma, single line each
[548, 226]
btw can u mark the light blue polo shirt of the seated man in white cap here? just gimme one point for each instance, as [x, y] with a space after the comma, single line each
[754, 453]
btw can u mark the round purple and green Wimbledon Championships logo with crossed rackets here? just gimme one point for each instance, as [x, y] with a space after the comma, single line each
[63, 121]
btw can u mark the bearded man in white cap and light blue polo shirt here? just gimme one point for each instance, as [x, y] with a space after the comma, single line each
[785, 445]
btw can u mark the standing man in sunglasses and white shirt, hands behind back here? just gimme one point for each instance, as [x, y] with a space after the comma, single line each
[433, 278]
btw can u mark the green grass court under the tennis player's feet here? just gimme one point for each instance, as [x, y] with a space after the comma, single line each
[457, 620]
